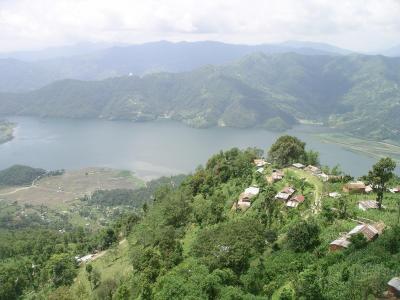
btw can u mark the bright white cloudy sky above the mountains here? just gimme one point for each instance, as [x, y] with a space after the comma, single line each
[363, 25]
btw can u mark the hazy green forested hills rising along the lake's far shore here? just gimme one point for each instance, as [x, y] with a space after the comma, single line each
[359, 94]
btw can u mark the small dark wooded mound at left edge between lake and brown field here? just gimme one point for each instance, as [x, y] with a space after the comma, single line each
[19, 175]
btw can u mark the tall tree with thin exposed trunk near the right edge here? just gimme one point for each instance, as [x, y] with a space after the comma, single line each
[380, 174]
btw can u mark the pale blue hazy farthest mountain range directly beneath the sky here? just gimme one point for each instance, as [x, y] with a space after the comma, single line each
[24, 71]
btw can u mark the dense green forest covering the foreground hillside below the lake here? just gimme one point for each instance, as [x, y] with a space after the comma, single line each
[194, 239]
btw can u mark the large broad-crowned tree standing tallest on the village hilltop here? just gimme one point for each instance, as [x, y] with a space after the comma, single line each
[287, 150]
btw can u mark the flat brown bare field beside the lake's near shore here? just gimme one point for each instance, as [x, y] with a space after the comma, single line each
[58, 190]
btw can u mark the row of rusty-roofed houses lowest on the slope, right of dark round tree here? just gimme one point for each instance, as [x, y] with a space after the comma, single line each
[370, 232]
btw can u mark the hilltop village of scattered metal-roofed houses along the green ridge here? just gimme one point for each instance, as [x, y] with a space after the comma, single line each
[292, 198]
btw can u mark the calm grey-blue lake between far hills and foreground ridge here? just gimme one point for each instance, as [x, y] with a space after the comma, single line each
[149, 149]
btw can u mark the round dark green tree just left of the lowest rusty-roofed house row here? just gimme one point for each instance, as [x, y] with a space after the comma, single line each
[303, 236]
